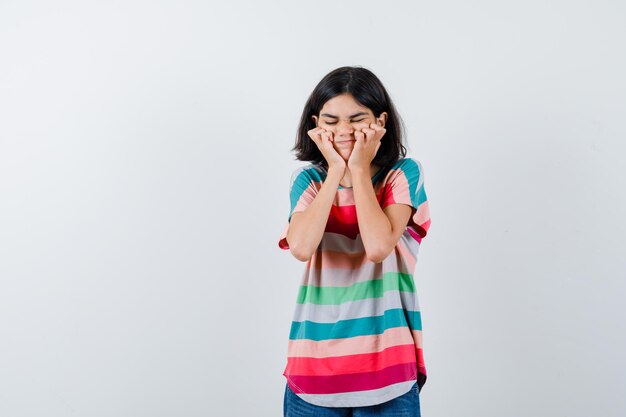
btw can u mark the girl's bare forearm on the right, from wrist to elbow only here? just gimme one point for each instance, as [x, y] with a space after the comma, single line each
[374, 226]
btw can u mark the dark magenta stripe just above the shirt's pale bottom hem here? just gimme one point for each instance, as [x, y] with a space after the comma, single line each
[352, 382]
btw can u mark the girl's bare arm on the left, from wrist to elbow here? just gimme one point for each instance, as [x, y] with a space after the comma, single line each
[306, 228]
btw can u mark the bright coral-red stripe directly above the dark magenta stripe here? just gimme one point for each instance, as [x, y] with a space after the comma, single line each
[363, 362]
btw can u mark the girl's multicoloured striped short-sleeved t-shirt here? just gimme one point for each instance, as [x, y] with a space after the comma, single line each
[356, 334]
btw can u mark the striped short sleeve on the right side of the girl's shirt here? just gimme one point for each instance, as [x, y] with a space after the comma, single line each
[406, 186]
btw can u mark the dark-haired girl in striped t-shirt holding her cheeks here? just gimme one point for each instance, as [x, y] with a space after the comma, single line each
[358, 215]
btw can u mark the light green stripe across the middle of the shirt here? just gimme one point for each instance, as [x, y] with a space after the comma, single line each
[357, 291]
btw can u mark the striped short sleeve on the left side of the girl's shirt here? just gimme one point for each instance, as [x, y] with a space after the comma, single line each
[303, 188]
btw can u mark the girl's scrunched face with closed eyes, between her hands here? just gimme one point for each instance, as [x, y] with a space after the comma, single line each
[343, 115]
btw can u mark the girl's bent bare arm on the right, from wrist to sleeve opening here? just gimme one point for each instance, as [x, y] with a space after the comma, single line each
[380, 229]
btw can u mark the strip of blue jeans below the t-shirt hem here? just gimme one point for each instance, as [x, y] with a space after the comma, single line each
[407, 405]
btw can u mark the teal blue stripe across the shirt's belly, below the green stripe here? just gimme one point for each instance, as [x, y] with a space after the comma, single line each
[363, 326]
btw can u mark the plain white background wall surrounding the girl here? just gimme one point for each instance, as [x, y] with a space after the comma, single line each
[144, 171]
